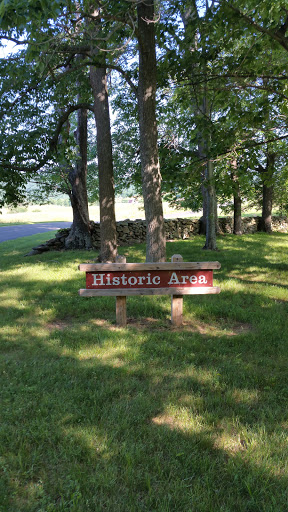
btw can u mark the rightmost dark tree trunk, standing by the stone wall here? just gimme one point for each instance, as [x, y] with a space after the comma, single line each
[267, 200]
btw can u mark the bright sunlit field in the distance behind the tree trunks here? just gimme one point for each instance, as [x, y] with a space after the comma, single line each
[46, 213]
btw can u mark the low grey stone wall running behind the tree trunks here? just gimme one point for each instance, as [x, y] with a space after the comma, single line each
[131, 232]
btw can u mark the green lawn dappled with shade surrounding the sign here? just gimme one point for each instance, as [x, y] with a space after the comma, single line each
[146, 418]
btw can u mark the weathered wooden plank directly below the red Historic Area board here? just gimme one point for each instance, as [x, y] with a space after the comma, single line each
[149, 291]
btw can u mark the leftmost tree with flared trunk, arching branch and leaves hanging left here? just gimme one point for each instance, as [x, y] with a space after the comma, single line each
[38, 106]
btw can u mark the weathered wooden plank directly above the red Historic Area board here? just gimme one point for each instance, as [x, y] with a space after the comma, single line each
[122, 267]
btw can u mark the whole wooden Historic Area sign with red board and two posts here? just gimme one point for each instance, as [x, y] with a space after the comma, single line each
[175, 278]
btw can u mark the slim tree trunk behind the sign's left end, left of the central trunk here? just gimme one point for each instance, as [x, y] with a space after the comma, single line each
[108, 236]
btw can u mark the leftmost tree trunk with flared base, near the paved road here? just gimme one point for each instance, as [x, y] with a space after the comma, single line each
[79, 236]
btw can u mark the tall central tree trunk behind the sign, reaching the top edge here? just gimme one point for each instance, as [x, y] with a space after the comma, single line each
[150, 168]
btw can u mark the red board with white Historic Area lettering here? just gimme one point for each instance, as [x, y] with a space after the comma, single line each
[149, 279]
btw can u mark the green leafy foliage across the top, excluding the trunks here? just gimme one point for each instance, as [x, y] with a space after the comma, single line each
[236, 53]
